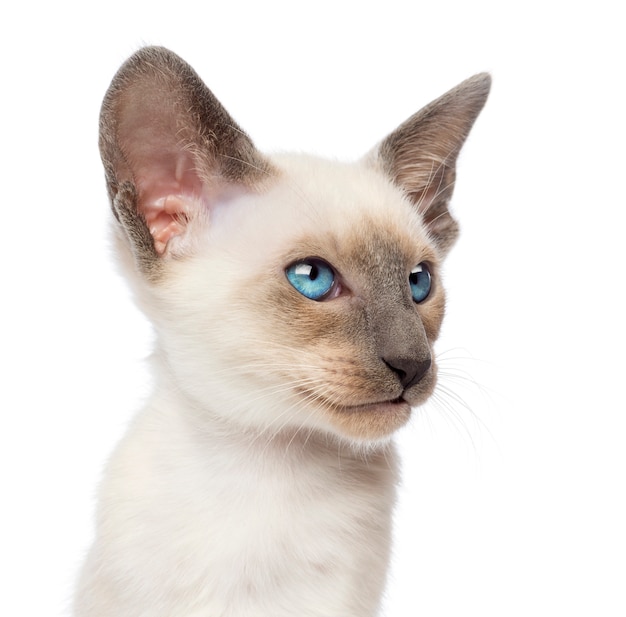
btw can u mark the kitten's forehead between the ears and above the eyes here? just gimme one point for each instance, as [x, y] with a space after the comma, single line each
[352, 214]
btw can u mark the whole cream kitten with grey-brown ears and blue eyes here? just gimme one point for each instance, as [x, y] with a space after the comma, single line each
[295, 303]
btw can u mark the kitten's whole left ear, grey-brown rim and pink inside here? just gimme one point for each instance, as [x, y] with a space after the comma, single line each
[170, 153]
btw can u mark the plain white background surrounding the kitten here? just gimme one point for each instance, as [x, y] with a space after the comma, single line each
[514, 492]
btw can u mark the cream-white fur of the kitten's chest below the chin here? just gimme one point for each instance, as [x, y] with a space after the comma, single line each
[221, 524]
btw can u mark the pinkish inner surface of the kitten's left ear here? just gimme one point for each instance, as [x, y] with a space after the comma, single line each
[154, 144]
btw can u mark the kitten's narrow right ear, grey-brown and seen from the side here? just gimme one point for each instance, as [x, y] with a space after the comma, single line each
[420, 155]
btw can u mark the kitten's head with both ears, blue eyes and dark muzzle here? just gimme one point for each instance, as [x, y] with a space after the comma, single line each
[288, 293]
